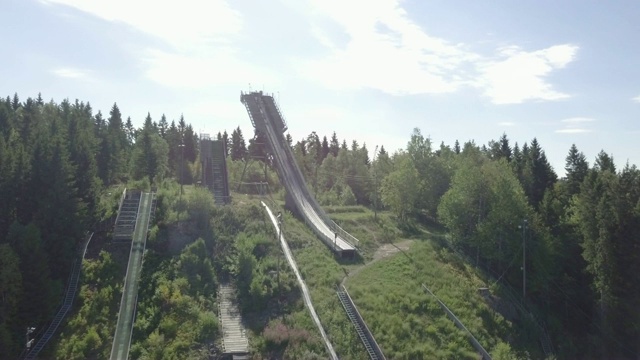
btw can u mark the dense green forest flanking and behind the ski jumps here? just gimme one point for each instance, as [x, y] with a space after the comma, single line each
[579, 234]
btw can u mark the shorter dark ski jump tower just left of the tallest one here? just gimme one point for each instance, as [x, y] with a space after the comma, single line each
[213, 159]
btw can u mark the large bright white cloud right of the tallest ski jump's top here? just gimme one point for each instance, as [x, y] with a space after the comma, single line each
[388, 51]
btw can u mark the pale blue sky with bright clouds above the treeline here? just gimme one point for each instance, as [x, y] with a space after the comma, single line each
[564, 72]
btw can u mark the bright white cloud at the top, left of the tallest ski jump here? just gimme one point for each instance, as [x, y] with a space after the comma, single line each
[200, 34]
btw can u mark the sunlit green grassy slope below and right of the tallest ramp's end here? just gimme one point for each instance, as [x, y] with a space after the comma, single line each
[408, 323]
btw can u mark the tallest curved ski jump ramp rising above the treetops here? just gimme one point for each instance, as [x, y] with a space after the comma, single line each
[266, 117]
